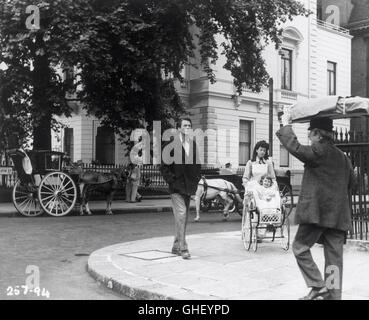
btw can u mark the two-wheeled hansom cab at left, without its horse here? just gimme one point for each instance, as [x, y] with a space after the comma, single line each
[42, 185]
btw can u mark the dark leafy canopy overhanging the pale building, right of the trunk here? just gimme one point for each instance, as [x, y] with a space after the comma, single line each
[136, 49]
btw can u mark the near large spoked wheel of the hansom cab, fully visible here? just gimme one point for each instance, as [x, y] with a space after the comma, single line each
[57, 194]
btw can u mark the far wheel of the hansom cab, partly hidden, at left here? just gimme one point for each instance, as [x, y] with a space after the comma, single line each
[25, 200]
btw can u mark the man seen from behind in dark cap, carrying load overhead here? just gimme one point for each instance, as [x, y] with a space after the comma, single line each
[323, 212]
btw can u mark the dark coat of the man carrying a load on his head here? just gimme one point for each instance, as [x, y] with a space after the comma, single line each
[328, 175]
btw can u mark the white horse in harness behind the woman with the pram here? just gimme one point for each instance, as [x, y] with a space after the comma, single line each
[208, 189]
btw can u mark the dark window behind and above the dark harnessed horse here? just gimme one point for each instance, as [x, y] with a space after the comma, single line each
[105, 146]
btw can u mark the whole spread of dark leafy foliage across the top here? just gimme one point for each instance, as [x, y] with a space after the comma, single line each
[129, 53]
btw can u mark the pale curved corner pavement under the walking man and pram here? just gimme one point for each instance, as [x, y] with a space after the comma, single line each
[220, 268]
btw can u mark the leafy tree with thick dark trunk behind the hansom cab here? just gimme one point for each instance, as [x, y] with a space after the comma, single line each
[32, 90]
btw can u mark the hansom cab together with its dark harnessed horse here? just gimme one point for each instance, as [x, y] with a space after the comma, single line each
[45, 184]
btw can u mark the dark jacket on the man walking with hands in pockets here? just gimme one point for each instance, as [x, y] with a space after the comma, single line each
[184, 174]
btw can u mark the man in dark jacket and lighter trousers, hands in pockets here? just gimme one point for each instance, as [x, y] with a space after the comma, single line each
[182, 176]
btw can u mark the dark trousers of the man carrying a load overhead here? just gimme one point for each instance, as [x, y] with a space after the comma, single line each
[332, 240]
